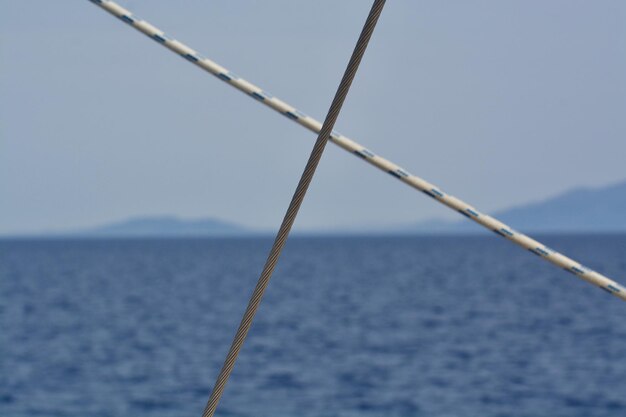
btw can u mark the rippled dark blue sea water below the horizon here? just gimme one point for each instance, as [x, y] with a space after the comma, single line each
[350, 327]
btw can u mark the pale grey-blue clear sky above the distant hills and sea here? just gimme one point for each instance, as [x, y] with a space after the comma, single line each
[496, 102]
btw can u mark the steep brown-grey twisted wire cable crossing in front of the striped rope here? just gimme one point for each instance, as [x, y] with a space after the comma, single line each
[294, 206]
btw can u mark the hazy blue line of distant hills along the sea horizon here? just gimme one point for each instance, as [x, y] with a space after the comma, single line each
[582, 210]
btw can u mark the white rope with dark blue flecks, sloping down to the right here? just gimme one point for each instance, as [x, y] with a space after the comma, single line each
[351, 146]
